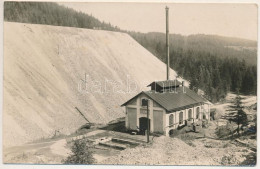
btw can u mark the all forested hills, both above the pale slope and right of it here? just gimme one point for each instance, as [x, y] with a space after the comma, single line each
[214, 64]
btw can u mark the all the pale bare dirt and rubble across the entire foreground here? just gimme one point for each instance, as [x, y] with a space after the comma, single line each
[203, 148]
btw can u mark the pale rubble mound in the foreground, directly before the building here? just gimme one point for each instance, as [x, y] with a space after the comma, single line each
[191, 149]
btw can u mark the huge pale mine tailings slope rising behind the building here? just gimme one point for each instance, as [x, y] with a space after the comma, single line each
[44, 65]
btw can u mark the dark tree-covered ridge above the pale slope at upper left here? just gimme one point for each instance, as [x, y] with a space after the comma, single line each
[50, 13]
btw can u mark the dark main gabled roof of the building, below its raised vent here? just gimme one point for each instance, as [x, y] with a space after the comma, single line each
[173, 101]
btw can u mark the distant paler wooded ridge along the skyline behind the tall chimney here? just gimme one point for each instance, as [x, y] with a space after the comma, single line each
[216, 45]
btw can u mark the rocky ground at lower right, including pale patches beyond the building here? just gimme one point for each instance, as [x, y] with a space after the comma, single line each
[203, 148]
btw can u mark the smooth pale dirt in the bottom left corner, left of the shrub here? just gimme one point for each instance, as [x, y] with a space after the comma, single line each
[51, 151]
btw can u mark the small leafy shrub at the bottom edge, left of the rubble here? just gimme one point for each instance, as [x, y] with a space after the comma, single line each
[81, 153]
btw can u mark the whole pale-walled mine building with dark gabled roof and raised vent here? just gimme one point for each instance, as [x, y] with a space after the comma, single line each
[171, 105]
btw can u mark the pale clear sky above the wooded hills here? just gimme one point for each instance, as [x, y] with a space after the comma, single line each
[233, 20]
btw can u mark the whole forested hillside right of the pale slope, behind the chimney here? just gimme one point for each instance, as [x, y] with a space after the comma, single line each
[209, 62]
